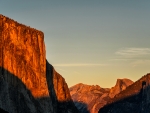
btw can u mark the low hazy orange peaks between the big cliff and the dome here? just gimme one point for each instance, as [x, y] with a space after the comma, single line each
[89, 98]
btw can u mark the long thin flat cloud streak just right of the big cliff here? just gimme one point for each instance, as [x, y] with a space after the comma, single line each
[78, 65]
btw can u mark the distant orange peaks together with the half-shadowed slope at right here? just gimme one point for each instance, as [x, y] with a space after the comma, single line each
[125, 97]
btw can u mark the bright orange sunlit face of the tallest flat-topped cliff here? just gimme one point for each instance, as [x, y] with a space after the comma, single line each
[22, 52]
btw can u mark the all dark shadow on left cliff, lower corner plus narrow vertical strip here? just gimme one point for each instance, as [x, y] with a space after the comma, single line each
[16, 98]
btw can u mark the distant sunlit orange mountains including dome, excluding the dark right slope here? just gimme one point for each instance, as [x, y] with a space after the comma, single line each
[90, 98]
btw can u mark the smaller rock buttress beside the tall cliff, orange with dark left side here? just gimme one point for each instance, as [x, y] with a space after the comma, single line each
[59, 92]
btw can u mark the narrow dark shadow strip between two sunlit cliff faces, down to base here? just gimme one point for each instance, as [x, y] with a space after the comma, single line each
[60, 107]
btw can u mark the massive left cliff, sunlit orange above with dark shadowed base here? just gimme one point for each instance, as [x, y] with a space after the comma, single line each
[28, 83]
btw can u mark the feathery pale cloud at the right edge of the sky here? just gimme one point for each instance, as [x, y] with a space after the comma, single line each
[133, 52]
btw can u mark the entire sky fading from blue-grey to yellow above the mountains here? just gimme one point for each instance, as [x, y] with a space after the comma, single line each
[90, 41]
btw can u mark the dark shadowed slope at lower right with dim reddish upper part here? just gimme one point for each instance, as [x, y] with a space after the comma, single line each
[137, 102]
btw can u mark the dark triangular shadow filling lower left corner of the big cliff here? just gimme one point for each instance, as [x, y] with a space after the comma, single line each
[14, 96]
